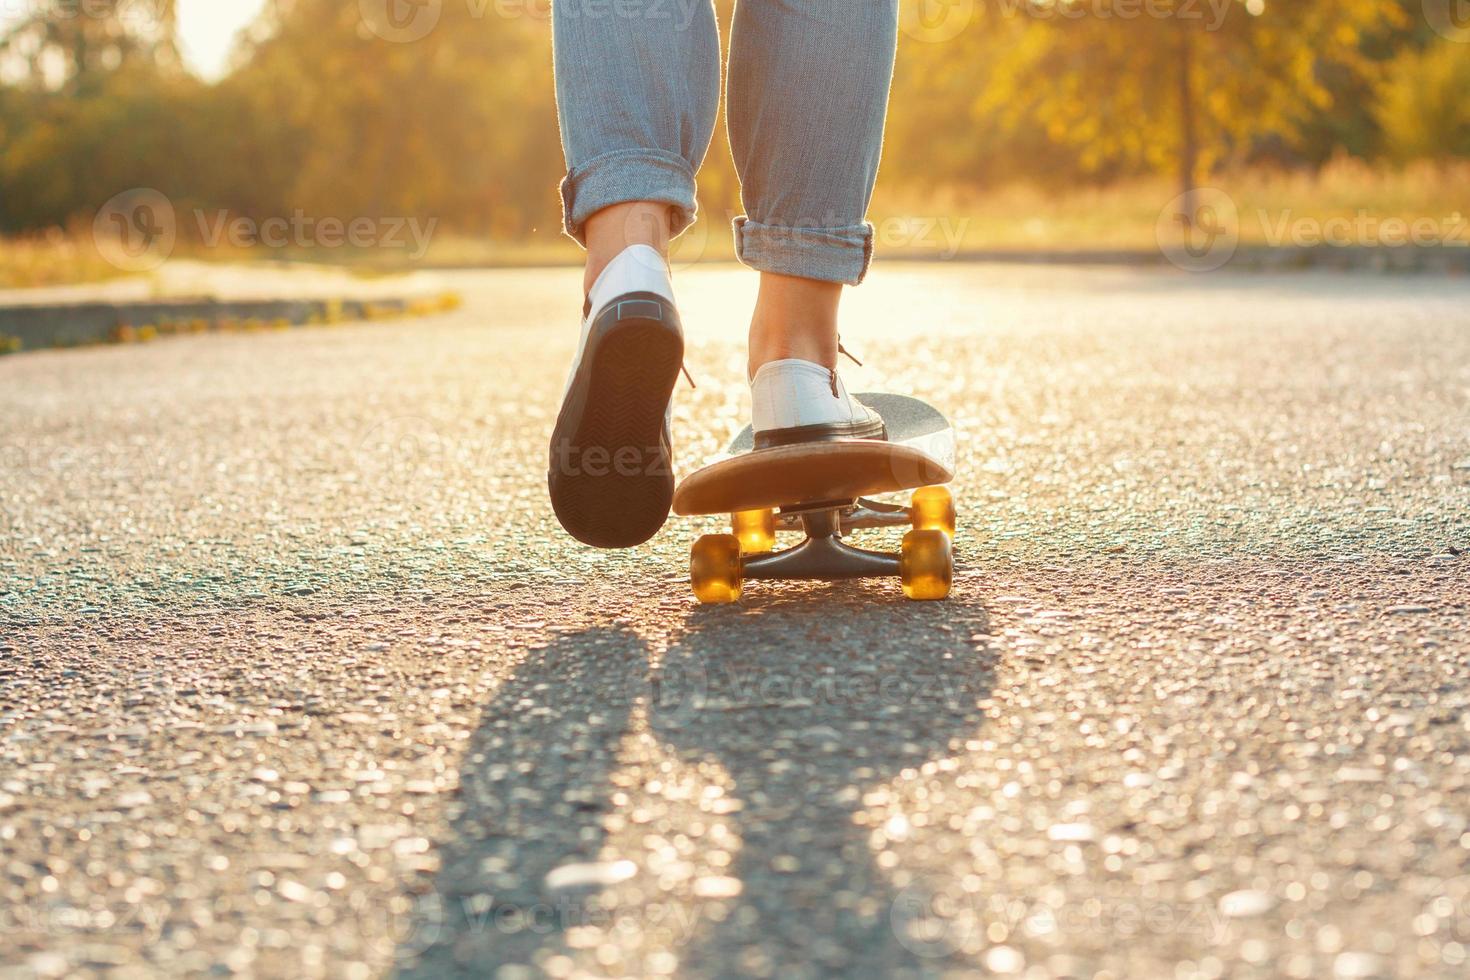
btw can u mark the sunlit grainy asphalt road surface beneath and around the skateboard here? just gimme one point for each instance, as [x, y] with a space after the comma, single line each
[299, 678]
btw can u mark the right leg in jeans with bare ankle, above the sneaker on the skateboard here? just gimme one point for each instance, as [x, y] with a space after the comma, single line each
[808, 101]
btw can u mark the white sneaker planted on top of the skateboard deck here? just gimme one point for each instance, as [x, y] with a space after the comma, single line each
[803, 402]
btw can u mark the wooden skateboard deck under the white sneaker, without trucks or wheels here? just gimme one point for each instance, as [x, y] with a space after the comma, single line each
[919, 452]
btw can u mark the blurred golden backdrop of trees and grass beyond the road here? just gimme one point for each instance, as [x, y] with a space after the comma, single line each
[1030, 126]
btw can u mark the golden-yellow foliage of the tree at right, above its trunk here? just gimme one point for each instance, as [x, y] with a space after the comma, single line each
[1169, 86]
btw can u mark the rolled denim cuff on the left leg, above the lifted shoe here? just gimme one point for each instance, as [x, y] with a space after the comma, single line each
[623, 177]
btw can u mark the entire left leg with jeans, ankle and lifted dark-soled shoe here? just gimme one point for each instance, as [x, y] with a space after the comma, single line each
[637, 95]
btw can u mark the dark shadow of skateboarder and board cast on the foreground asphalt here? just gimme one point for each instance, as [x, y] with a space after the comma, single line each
[806, 702]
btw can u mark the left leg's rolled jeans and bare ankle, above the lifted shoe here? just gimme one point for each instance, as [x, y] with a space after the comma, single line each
[637, 98]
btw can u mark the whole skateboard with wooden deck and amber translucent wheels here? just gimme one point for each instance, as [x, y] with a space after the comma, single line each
[827, 490]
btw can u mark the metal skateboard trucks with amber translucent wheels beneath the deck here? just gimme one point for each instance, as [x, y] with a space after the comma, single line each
[721, 563]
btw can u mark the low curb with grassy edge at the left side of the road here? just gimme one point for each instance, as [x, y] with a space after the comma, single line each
[85, 324]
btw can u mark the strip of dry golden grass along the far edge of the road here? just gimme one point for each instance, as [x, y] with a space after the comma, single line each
[937, 223]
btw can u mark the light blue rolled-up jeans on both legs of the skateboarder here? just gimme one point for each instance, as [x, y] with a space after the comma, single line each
[639, 86]
